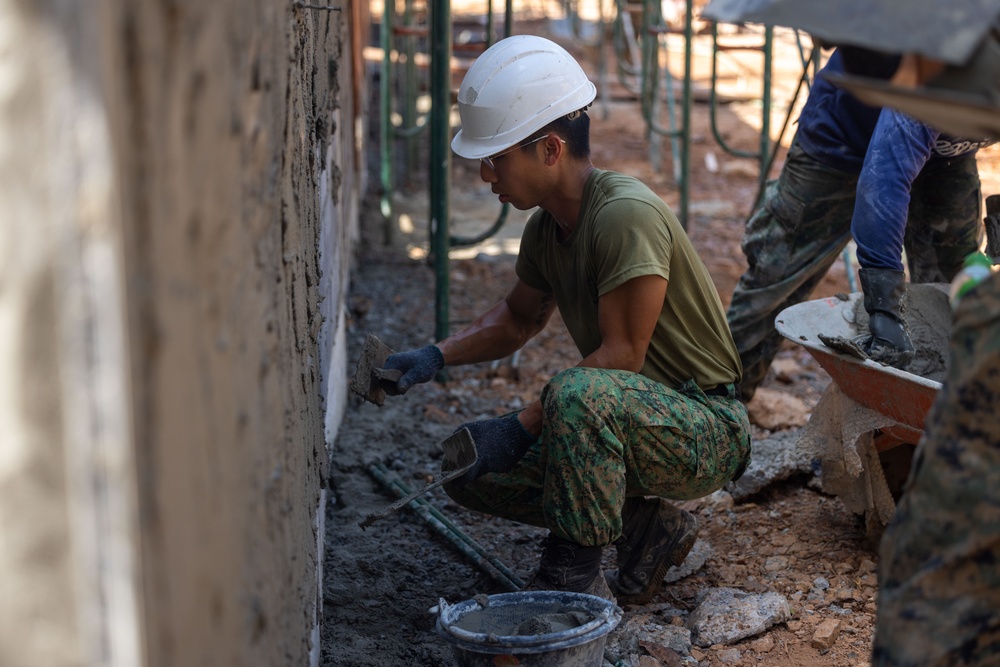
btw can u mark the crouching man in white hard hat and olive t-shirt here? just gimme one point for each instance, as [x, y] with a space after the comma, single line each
[651, 413]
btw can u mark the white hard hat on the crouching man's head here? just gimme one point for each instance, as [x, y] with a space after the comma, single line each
[516, 87]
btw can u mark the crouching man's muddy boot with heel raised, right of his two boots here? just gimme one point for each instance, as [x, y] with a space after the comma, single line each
[656, 535]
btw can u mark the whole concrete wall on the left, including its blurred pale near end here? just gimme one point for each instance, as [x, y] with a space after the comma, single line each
[179, 185]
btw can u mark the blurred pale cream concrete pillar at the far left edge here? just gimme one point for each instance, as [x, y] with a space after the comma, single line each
[68, 545]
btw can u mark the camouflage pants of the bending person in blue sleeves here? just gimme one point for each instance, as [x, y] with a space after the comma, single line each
[803, 225]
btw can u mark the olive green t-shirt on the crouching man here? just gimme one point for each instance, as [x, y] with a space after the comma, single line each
[626, 231]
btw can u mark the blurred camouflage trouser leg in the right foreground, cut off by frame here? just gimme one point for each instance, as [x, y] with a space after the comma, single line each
[939, 572]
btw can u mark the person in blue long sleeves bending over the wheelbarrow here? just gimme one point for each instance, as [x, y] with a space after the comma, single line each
[891, 182]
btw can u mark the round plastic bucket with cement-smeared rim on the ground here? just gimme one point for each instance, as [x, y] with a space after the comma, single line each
[572, 629]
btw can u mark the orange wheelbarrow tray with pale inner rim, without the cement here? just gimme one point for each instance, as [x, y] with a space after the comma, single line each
[902, 396]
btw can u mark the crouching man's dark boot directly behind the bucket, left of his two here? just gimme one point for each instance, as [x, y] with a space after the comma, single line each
[567, 566]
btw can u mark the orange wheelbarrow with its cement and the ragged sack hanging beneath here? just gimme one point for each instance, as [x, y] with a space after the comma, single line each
[860, 440]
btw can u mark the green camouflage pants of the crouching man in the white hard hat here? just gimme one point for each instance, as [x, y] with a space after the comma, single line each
[607, 435]
